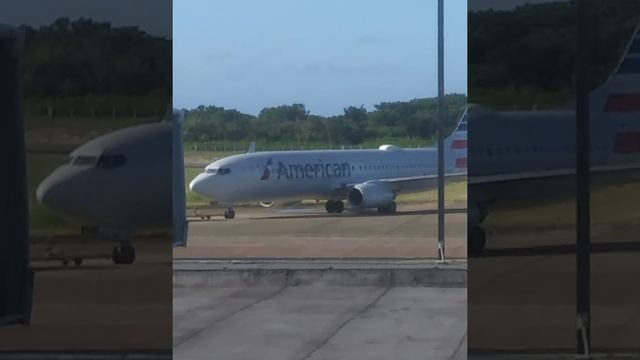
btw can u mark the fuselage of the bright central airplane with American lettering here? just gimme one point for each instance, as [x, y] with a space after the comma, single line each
[283, 175]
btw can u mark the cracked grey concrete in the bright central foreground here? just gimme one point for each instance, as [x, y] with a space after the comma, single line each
[319, 322]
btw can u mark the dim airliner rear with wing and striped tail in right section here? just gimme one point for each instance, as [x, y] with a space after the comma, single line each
[513, 152]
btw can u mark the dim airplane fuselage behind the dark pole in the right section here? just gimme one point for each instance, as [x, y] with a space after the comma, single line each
[510, 142]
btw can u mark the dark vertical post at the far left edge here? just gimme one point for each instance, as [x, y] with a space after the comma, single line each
[16, 277]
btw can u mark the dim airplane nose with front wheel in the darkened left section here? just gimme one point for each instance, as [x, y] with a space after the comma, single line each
[119, 183]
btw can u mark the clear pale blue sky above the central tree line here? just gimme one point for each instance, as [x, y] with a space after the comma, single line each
[329, 54]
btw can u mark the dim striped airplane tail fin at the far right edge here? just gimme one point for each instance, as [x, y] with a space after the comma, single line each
[620, 94]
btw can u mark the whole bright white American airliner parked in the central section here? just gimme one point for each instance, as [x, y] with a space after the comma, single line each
[366, 178]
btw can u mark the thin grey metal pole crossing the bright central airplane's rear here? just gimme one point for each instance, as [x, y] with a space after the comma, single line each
[441, 119]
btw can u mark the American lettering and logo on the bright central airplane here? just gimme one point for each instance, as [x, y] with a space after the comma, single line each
[317, 170]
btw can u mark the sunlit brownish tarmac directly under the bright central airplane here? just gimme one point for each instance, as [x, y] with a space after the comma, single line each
[310, 232]
